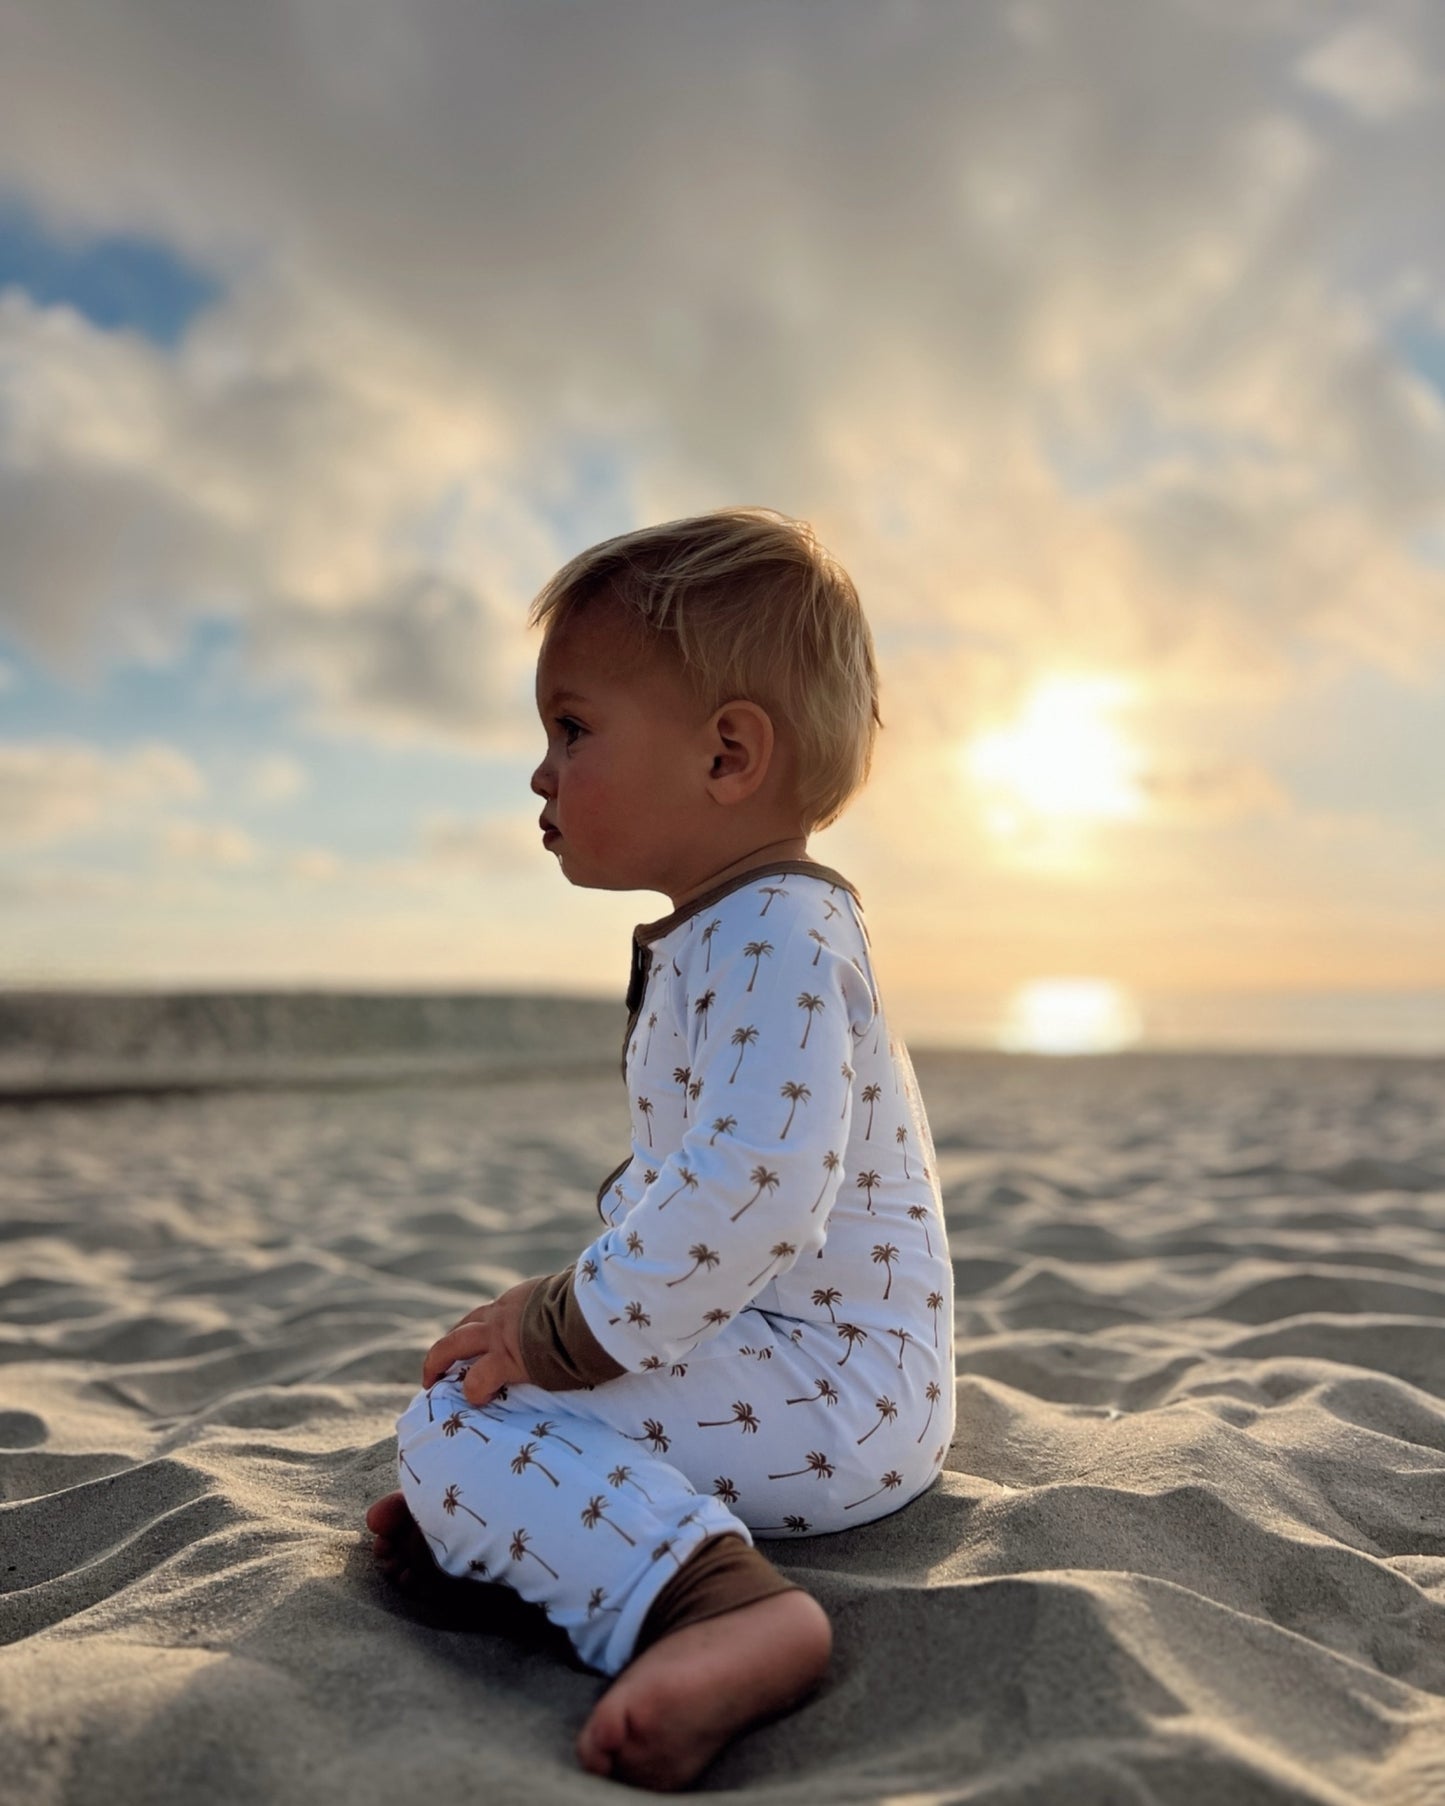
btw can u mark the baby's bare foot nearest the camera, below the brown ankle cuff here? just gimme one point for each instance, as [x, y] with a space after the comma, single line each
[671, 1711]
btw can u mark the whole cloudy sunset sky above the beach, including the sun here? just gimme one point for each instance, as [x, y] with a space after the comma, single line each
[1101, 340]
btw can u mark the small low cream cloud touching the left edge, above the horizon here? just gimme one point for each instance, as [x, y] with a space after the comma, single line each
[64, 790]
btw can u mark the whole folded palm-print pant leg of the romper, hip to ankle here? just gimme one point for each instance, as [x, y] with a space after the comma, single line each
[590, 1502]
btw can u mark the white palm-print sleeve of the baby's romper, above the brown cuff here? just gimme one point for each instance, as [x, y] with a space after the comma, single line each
[770, 1016]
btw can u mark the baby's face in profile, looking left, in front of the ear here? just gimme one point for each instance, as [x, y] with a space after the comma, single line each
[628, 759]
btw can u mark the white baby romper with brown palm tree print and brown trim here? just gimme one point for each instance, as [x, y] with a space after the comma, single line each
[760, 1341]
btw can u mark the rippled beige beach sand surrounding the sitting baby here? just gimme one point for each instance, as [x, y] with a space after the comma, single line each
[1189, 1549]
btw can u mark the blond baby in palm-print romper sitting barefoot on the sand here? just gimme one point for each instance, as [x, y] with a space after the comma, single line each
[760, 1339]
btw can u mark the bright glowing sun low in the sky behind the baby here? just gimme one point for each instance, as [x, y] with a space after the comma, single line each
[1061, 761]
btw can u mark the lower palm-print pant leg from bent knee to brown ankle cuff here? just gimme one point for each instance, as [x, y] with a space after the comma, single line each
[559, 1507]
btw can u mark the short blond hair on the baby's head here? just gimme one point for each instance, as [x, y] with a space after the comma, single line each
[756, 610]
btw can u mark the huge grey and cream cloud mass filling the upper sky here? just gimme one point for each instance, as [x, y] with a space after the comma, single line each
[870, 270]
